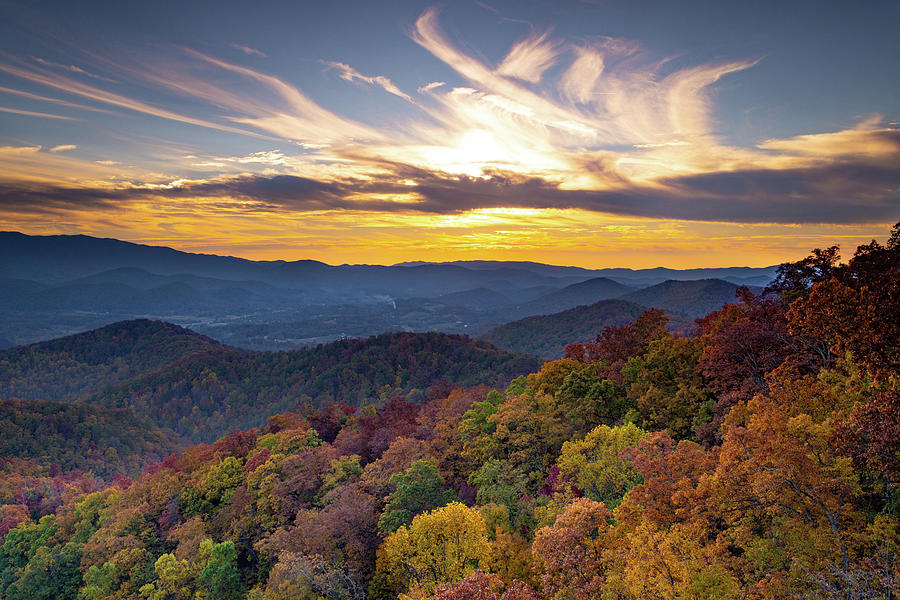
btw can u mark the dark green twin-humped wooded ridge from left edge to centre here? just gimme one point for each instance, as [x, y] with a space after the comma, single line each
[185, 382]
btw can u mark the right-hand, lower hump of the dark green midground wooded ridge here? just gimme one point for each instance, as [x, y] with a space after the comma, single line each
[207, 394]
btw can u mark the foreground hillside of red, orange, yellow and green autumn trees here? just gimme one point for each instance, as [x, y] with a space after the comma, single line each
[757, 459]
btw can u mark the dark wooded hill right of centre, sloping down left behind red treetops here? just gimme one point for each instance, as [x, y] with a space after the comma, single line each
[547, 336]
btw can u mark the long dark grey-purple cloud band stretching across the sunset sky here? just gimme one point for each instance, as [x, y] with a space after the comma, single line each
[837, 193]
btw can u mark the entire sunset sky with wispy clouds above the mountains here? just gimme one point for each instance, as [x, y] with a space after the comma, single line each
[604, 133]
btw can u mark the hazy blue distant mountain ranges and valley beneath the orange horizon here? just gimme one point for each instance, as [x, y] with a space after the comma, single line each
[51, 286]
